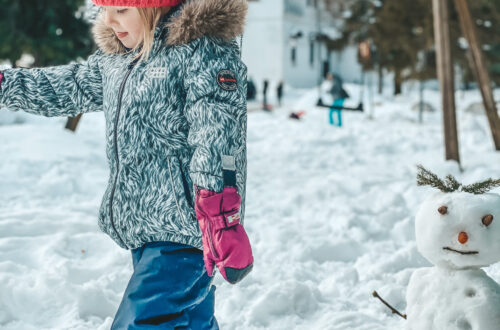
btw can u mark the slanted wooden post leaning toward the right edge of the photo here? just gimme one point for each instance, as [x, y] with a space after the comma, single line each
[478, 66]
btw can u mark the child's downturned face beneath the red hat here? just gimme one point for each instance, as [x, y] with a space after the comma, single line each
[126, 23]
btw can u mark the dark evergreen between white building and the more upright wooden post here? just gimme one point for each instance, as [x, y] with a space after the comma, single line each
[399, 30]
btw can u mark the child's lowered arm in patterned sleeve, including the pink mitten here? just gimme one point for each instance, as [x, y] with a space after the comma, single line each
[216, 111]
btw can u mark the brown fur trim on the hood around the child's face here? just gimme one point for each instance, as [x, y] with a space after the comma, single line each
[224, 19]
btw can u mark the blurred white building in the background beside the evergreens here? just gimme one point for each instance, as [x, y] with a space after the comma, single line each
[281, 44]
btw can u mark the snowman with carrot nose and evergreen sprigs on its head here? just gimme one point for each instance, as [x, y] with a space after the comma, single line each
[458, 231]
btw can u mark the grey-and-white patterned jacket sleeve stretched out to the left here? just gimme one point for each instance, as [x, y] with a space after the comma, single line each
[65, 90]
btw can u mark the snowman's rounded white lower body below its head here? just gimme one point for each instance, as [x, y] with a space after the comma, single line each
[440, 298]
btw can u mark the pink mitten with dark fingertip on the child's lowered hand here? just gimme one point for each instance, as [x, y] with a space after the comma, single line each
[225, 242]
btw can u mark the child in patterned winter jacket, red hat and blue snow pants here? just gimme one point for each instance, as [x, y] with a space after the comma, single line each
[169, 79]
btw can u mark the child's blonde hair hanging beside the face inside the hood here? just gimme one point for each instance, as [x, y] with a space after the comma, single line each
[150, 17]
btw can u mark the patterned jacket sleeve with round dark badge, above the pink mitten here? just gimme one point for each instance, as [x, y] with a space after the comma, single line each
[215, 84]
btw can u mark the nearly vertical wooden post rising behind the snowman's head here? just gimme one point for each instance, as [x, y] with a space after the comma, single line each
[446, 77]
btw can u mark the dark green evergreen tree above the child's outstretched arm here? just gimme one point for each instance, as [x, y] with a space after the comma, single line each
[52, 31]
